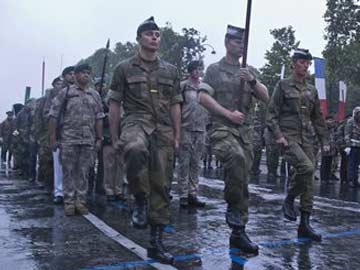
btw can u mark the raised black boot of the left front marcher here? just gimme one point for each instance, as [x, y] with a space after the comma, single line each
[139, 215]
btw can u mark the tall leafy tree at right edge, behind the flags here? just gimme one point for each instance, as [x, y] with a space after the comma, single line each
[342, 51]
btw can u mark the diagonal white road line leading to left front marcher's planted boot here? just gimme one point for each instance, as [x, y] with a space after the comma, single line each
[125, 242]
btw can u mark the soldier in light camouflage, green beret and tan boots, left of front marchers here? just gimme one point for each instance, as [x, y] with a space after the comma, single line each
[81, 131]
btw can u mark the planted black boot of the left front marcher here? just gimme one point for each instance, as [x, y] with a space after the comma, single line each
[157, 250]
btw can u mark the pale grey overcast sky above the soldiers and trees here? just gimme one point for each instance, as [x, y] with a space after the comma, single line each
[33, 30]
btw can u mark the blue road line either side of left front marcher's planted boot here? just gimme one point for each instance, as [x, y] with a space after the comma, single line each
[130, 265]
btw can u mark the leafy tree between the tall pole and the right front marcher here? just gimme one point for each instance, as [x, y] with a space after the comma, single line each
[278, 56]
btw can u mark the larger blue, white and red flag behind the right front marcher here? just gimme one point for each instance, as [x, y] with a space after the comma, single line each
[320, 83]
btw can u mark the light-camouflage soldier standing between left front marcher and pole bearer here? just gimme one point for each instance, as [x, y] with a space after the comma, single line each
[193, 130]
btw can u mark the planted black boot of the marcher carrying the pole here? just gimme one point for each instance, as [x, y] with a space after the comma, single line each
[240, 240]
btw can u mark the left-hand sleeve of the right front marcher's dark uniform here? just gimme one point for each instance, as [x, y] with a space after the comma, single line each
[273, 112]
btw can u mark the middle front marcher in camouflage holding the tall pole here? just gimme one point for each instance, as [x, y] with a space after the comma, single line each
[231, 134]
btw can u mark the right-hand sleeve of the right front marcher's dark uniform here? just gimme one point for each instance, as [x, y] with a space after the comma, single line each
[319, 122]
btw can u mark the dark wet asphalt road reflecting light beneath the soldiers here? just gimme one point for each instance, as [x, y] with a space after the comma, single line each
[35, 234]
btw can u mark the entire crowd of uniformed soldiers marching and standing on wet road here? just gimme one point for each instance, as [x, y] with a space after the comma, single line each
[87, 137]
